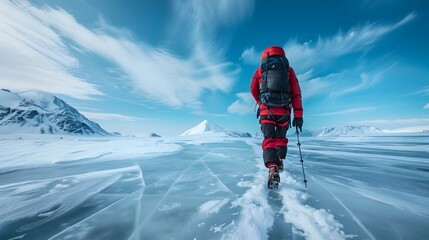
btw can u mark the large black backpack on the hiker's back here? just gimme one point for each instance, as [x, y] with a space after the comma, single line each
[274, 89]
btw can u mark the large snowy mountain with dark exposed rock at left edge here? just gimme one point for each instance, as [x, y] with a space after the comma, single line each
[42, 113]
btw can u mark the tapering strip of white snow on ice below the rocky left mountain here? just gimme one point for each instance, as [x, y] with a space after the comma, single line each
[30, 151]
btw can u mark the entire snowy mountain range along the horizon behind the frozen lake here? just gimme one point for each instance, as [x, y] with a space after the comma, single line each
[41, 113]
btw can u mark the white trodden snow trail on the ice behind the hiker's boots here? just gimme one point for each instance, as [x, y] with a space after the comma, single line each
[257, 216]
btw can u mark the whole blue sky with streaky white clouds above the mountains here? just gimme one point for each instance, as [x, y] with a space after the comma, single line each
[164, 66]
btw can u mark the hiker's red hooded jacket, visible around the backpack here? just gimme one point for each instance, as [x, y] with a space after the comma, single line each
[294, 85]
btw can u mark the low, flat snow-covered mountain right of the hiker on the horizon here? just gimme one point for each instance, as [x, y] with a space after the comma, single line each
[360, 130]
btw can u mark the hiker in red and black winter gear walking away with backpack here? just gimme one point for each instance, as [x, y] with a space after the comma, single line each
[275, 117]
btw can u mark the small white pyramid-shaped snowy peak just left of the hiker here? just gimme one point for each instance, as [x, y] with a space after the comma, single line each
[206, 127]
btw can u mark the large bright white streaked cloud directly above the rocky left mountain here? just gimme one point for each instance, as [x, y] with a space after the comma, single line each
[34, 56]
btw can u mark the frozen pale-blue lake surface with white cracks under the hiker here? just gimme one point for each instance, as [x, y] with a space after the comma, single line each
[212, 188]
